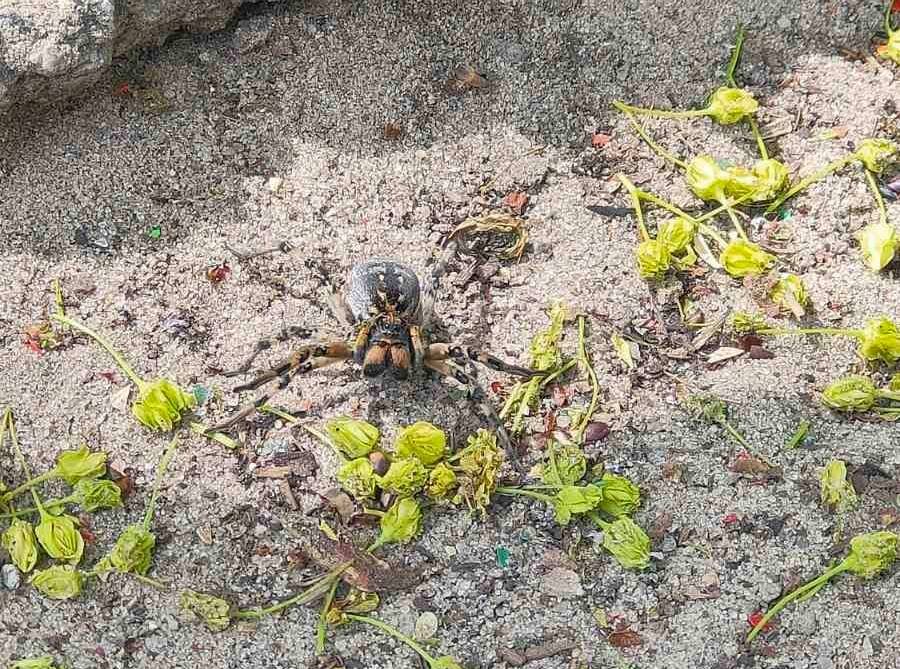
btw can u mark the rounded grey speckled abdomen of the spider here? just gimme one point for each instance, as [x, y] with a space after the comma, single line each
[383, 287]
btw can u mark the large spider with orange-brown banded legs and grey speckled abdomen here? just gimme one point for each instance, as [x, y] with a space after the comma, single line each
[390, 313]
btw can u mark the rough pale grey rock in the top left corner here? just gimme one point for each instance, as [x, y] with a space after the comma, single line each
[50, 50]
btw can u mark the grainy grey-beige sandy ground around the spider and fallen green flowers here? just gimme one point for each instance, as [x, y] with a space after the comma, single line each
[274, 131]
